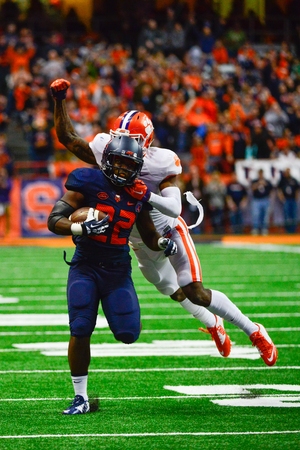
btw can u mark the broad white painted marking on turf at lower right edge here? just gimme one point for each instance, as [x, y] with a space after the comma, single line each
[255, 395]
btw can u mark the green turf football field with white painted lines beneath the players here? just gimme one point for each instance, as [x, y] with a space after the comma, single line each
[169, 390]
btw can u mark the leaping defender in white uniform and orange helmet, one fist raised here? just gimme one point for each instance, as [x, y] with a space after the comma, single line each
[180, 275]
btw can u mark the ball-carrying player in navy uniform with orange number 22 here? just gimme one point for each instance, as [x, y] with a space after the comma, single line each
[100, 269]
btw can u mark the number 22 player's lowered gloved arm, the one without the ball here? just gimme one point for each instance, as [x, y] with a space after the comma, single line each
[151, 237]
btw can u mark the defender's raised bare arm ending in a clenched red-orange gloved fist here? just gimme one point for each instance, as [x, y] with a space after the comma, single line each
[63, 125]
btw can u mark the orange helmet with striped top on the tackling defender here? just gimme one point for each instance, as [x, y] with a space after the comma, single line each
[135, 124]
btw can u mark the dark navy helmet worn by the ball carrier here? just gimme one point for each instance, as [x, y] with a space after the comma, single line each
[122, 160]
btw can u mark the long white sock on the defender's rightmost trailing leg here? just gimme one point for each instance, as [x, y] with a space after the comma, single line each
[223, 307]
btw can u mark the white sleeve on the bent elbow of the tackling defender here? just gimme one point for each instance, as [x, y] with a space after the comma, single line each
[169, 203]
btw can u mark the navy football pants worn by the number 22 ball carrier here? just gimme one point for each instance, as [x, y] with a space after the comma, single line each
[87, 285]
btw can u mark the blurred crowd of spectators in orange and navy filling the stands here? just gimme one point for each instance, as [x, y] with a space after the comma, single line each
[214, 98]
